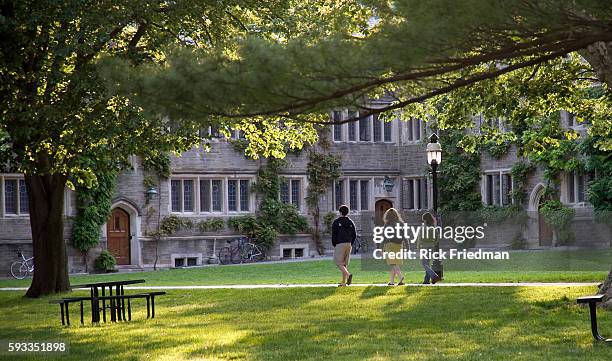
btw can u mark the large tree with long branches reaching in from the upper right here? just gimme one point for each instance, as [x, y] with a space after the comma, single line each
[416, 54]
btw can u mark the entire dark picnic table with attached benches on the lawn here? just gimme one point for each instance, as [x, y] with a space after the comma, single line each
[116, 302]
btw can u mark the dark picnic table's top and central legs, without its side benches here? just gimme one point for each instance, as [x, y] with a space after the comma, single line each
[116, 305]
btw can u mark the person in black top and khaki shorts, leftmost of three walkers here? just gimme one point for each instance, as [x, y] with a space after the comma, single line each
[343, 236]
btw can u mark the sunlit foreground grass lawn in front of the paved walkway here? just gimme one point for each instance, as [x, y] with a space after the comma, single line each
[352, 323]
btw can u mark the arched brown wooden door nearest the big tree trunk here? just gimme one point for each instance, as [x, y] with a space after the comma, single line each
[118, 235]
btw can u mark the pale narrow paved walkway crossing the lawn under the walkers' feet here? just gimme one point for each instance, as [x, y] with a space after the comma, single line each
[310, 285]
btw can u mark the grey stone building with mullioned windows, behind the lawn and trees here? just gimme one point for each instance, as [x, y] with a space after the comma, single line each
[383, 165]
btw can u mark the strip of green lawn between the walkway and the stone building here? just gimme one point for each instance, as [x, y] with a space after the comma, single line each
[534, 266]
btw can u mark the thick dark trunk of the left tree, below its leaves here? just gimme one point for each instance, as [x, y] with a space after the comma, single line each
[46, 200]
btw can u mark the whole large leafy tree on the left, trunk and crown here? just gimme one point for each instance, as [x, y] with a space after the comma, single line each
[59, 126]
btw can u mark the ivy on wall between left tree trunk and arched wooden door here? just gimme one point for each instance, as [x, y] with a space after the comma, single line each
[94, 207]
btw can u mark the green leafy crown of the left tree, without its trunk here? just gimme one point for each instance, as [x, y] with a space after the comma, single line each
[55, 102]
